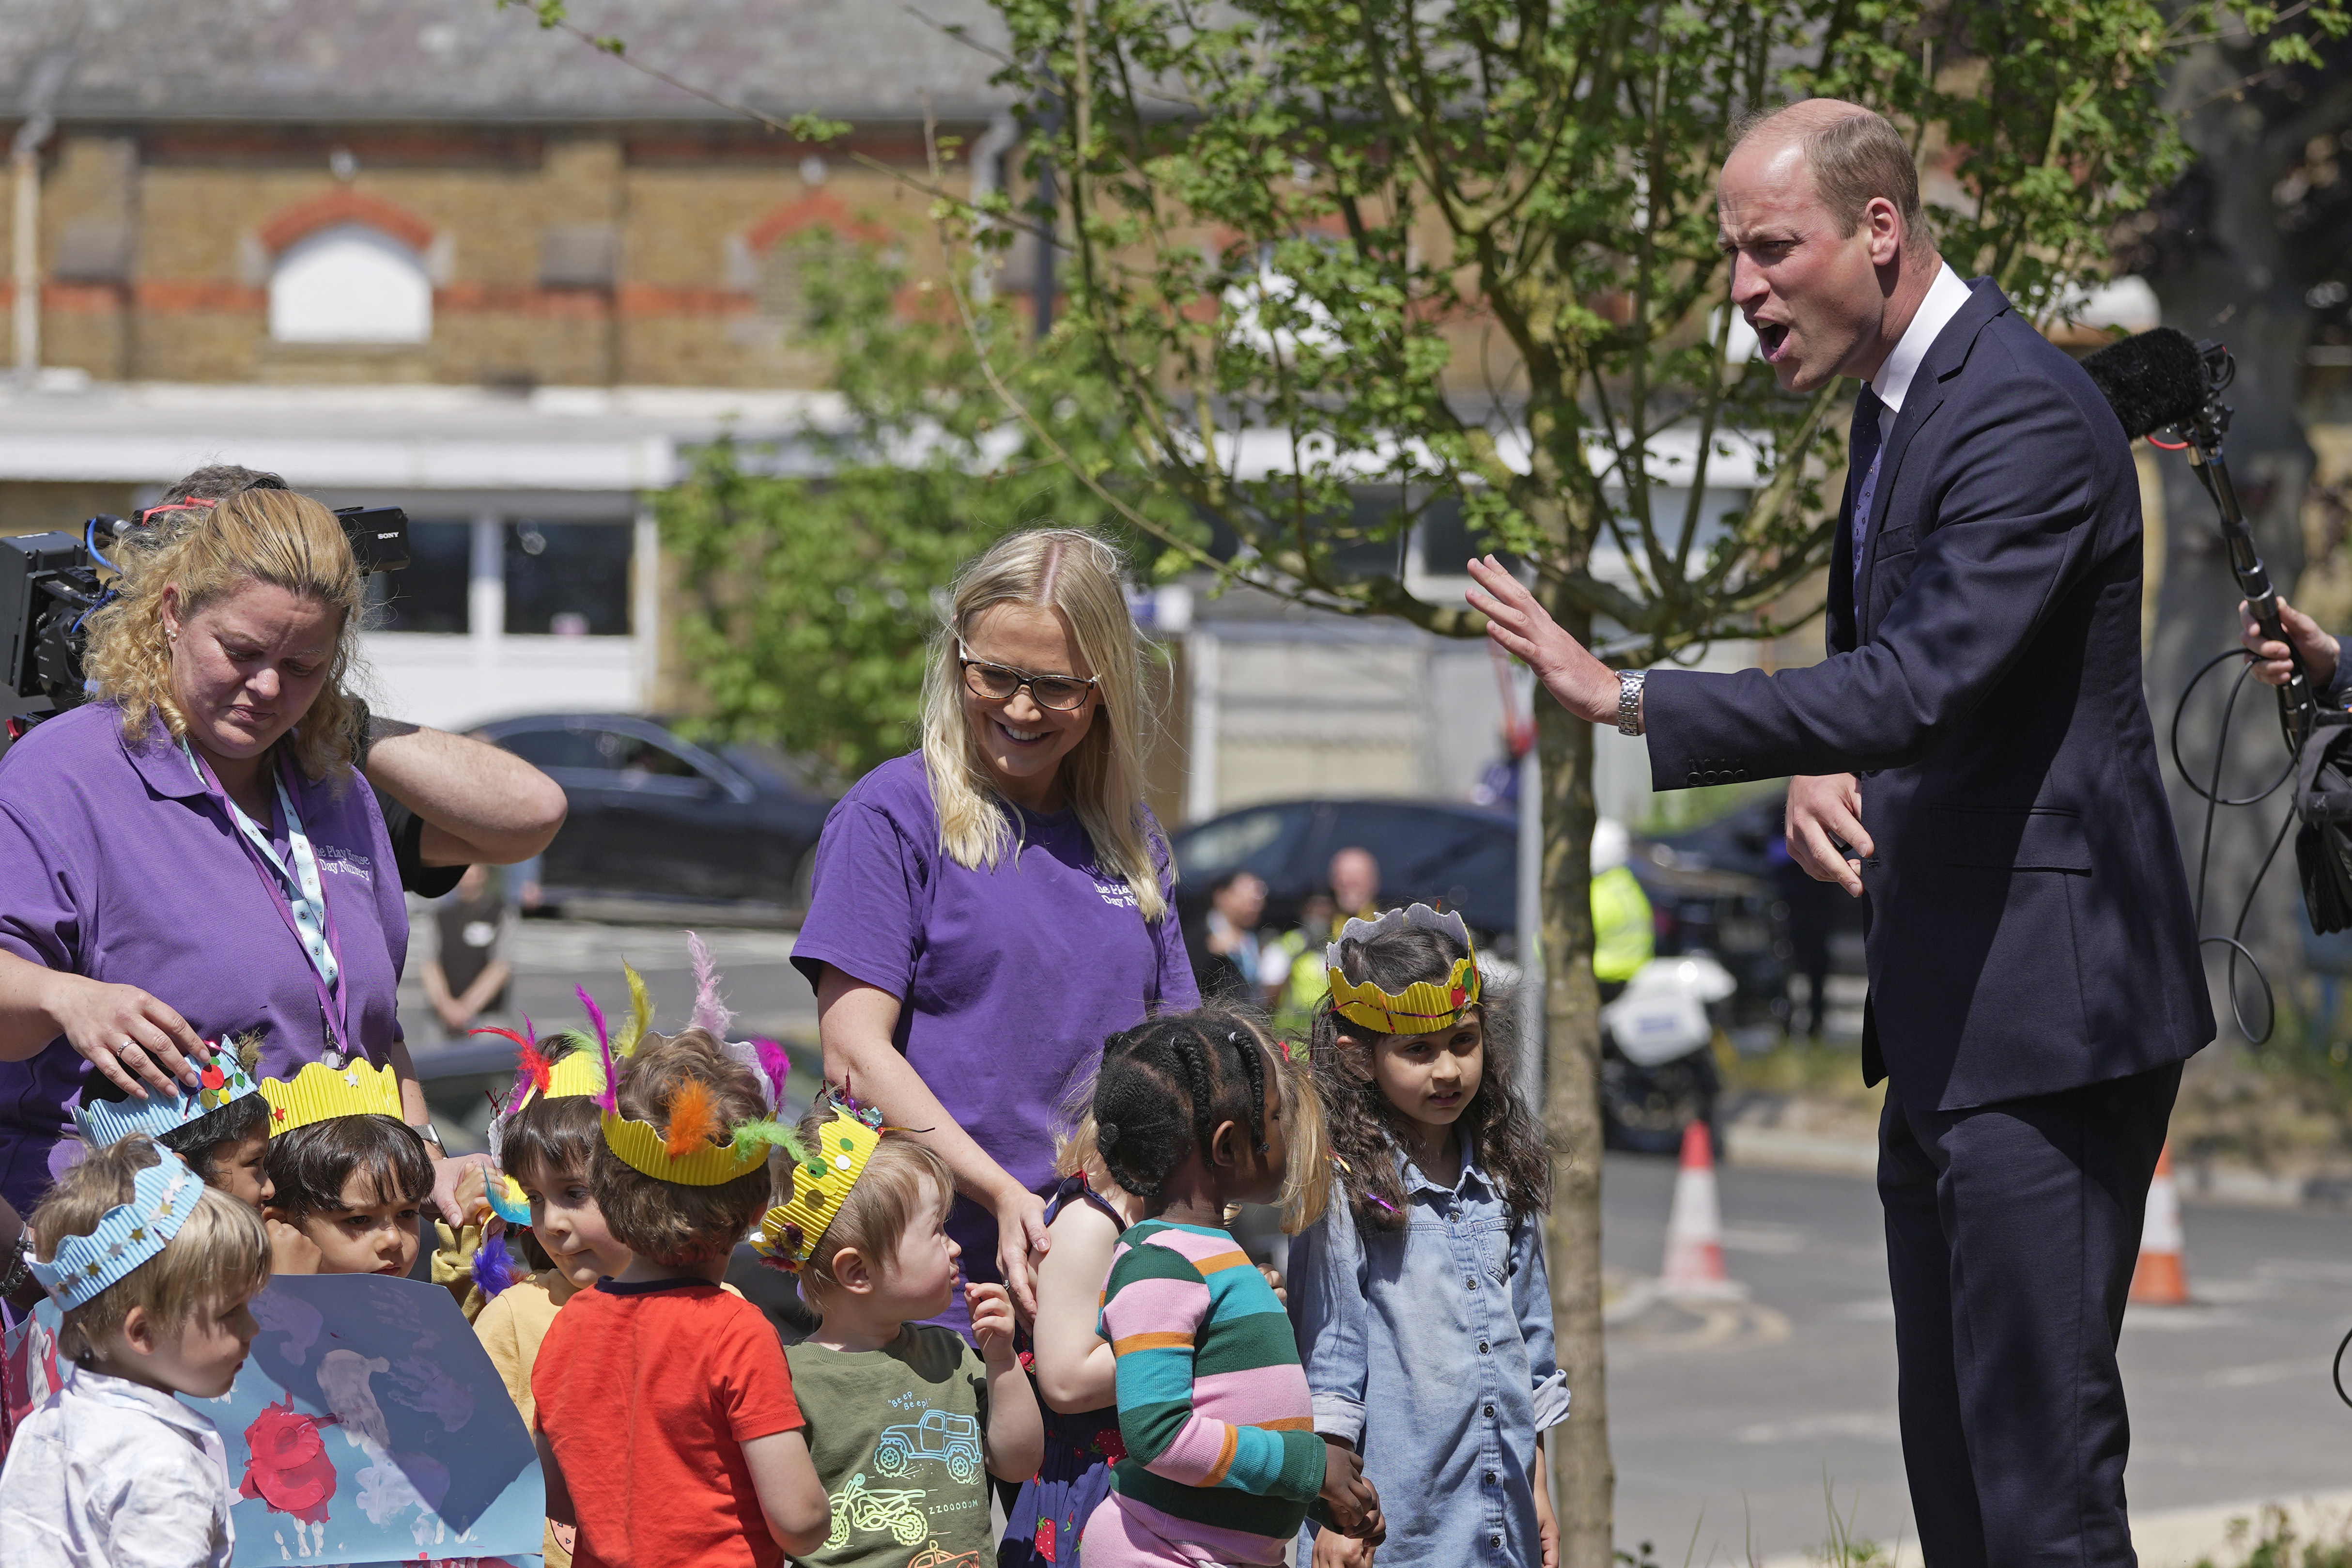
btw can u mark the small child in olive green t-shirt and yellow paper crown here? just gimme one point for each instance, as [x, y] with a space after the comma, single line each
[904, 1419]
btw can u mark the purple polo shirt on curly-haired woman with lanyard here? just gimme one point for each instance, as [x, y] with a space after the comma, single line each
[119, 866]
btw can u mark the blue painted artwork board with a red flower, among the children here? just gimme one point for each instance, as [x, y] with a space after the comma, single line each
[366, 1428]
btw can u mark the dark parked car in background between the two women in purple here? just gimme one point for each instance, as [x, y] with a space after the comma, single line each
[653, 815]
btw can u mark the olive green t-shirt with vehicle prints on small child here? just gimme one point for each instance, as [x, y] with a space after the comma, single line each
[900, 1442]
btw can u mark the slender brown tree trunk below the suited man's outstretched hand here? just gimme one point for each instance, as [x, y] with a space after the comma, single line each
[1572, 1111]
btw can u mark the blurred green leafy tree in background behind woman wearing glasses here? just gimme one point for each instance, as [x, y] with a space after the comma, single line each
[808, 596]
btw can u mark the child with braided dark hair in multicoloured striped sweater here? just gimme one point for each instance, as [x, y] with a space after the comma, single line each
[1222, 1454]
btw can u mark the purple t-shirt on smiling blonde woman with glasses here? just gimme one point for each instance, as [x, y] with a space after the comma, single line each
[1008, 979]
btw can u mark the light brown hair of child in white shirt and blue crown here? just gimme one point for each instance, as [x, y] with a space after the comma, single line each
[222, 1254]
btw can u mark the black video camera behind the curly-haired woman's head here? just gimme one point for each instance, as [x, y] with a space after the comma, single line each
[51, 584]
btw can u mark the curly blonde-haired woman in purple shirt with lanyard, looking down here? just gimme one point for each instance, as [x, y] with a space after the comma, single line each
[187, 857]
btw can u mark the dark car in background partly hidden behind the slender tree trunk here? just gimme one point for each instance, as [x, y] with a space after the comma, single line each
[1469, 859]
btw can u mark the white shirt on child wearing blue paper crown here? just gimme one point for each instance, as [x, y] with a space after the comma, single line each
[114, 1475]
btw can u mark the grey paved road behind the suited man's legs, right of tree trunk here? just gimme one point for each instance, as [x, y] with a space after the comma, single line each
[1730, 1423]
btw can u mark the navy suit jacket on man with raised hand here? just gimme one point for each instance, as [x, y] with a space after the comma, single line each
[2029, 911]
